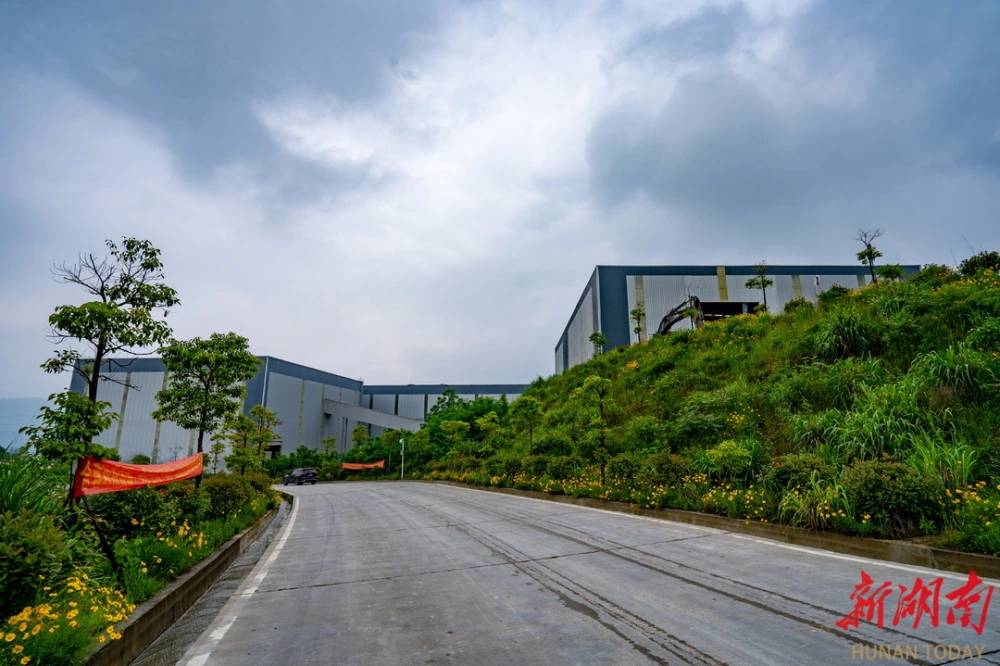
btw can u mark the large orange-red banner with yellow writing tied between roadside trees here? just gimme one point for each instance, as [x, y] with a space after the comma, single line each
[95, 476]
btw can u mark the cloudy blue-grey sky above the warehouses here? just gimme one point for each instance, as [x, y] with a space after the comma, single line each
[418, 191]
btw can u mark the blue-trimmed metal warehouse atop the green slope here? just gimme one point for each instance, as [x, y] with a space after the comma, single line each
[614, 291]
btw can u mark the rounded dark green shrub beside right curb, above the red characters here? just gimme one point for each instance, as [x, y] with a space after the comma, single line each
[898, 500]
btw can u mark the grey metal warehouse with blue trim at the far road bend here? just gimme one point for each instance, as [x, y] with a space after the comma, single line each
[312, 404]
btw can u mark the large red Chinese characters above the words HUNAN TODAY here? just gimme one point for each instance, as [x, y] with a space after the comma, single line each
[970, 603]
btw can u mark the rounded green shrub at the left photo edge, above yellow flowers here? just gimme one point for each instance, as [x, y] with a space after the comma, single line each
[32, 546]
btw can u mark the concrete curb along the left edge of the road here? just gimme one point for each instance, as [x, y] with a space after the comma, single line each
[153, 616]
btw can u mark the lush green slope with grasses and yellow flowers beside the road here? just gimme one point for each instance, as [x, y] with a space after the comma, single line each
[875, 413]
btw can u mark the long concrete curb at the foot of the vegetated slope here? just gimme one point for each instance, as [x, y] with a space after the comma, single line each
[985, 566]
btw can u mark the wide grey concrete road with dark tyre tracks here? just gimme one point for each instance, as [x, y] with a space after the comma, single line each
[414, 573]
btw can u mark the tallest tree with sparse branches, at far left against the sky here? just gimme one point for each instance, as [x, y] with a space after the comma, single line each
[127, 289]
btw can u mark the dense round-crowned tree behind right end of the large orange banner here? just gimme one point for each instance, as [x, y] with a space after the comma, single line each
[206, 382]
